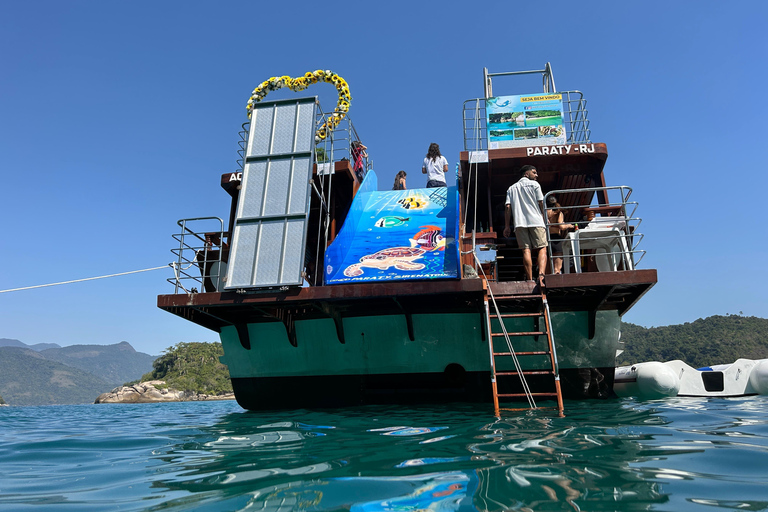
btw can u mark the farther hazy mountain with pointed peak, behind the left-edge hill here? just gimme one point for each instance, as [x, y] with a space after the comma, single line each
[116, 364]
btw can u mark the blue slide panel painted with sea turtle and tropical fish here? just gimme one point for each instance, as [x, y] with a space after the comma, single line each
[396, 235]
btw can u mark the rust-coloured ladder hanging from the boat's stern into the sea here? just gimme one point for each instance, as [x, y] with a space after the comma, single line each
[535, 306]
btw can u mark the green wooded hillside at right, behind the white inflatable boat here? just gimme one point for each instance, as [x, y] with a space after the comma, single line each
[708, 341]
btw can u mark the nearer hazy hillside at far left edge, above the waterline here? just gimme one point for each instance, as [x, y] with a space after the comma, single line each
[28, 378]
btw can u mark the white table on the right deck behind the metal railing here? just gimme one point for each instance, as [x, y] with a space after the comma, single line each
[609, 243]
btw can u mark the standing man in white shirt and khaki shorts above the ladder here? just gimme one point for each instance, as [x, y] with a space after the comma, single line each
[527, 201]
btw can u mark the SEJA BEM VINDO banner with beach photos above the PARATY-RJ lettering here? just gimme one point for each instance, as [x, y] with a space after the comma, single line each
[525, 120]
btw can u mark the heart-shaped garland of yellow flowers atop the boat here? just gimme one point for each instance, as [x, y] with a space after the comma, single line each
[301, 83]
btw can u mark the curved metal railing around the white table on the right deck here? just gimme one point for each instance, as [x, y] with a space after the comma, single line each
[606, 232]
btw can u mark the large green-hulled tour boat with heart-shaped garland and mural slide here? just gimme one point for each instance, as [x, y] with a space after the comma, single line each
[327, 291]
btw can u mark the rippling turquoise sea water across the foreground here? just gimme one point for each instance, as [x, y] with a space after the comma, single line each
[674, 454]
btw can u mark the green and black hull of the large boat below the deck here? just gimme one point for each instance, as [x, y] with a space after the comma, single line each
[447, 360]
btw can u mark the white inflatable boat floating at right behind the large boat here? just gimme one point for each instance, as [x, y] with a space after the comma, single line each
[675, 378]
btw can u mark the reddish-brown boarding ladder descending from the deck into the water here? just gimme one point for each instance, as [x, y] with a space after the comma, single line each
[532, 306]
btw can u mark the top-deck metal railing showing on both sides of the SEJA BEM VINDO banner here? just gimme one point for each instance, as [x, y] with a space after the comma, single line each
[575, 121]
